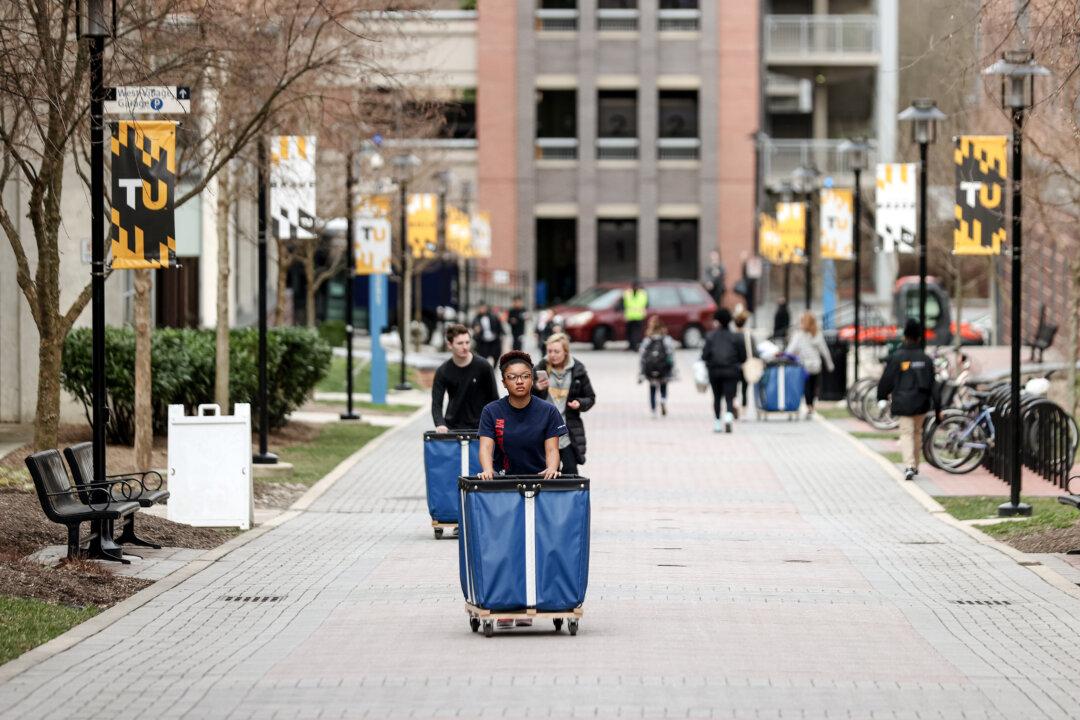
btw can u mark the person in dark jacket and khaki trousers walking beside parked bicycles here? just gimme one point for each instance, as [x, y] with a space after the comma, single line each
[909, 382]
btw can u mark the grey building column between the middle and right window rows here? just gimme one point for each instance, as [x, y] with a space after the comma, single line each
[649, 101]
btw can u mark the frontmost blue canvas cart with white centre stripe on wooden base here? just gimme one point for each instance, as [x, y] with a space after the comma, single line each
[524, 550]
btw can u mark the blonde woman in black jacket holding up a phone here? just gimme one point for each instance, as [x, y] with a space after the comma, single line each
[564, 382]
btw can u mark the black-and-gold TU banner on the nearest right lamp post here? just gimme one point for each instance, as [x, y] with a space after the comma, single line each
[981, 171]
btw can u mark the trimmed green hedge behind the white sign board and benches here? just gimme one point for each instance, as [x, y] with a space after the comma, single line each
[183, 365]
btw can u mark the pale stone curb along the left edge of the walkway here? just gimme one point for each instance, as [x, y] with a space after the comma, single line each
[123, 609]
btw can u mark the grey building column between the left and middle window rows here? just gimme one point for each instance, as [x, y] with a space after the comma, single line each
[587, 148]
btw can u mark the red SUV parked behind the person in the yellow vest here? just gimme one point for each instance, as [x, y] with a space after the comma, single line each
[596, 316]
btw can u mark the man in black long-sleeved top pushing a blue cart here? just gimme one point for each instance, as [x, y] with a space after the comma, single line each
[469, 382]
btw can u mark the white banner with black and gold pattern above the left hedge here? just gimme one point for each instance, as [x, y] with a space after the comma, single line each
[293, 186]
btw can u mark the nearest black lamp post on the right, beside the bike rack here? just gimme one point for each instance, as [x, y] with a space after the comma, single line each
[1018, 71]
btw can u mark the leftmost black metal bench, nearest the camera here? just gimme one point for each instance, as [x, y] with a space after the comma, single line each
[66, 505]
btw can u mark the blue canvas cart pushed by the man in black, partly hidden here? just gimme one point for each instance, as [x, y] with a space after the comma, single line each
[447, 458]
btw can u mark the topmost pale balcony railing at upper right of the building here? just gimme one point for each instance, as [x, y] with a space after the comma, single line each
[836, 39]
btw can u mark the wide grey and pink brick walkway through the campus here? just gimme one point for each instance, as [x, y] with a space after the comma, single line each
[772, 574]
